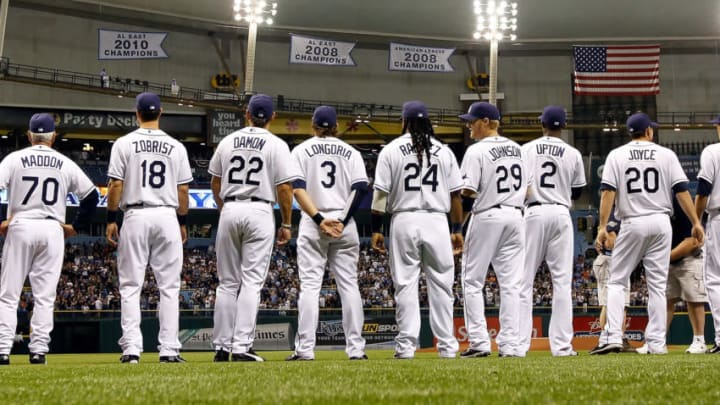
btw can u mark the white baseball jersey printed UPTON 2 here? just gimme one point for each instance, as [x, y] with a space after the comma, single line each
[553, 168]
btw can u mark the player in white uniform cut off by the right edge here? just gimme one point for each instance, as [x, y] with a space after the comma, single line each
[708, 200]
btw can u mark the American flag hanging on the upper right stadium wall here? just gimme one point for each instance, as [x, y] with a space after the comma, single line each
[619, 70]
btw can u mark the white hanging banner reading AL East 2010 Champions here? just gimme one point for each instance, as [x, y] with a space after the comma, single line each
[130, 45]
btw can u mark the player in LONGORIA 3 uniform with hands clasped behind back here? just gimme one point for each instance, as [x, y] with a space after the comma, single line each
[329, 192]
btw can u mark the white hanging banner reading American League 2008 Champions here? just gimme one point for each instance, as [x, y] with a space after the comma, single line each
[413, 58]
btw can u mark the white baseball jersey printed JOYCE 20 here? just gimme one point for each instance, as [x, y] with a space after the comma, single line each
[643, 173]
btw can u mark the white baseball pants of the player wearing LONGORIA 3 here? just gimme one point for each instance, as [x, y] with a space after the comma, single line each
[314, 251]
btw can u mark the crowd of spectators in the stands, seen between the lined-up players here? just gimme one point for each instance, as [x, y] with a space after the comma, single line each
[89, 282]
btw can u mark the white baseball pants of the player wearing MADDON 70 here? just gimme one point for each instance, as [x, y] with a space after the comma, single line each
[33, 248]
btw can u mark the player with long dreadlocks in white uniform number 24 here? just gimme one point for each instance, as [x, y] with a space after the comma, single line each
[417, 180]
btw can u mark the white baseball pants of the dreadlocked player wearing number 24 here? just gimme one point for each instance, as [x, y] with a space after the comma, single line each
[421, 240]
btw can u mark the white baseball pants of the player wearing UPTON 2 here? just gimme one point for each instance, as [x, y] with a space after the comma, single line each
[549, 237]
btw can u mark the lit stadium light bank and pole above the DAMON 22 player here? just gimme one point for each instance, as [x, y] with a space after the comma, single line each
[254, 13]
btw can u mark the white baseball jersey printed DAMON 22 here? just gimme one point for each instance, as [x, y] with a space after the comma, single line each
[251, 163]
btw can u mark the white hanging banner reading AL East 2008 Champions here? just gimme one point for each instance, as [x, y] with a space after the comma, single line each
[318, 51]
